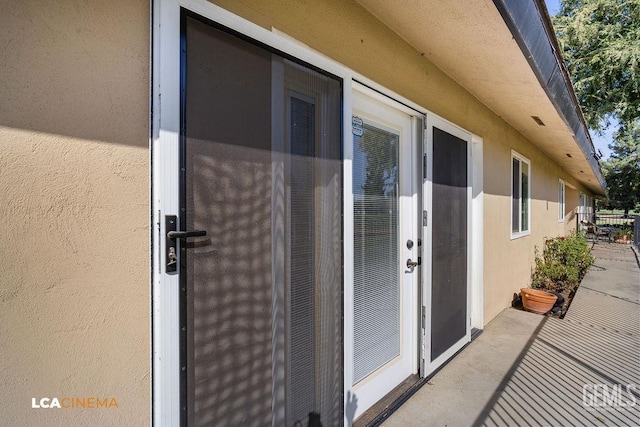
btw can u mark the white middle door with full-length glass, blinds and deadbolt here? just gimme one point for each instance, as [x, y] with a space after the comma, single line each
[384, 329]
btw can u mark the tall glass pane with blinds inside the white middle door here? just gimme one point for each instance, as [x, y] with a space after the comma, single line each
[376, 261]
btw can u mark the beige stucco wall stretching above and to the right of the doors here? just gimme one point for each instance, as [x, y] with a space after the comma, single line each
[347, 33]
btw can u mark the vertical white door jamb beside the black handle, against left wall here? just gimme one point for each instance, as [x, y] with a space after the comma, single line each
[164, 184]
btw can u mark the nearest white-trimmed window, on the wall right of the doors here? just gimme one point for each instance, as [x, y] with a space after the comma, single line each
[520, 195]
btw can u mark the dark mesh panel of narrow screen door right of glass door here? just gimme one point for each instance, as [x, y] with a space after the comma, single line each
[449, 270]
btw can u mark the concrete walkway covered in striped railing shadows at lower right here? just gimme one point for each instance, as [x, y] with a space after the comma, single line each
[584, 369]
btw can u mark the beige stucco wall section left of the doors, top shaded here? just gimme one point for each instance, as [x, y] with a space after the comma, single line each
[74, 205]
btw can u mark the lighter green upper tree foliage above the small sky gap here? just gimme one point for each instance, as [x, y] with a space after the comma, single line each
[600, 40]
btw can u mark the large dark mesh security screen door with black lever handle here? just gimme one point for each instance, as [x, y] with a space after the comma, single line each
[261, 293]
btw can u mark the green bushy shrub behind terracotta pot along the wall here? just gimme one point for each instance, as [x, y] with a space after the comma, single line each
[563, 263]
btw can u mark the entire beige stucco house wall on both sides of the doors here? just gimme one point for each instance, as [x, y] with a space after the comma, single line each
[74, 188]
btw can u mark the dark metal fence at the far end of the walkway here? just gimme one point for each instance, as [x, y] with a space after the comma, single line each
[610, 227]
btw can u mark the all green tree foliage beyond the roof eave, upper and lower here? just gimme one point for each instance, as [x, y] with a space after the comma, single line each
[600, 41]
